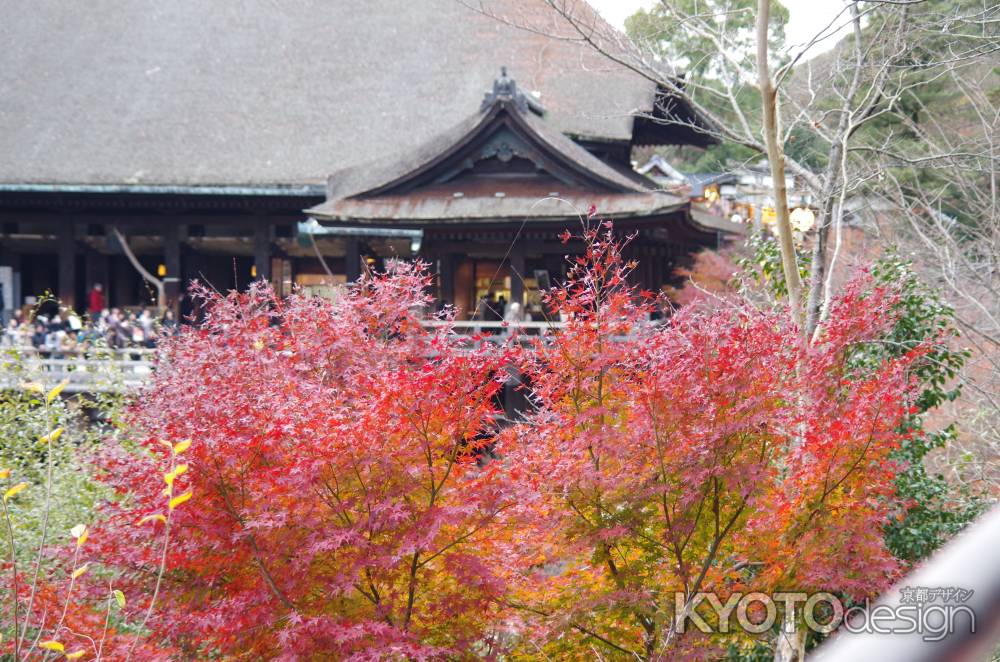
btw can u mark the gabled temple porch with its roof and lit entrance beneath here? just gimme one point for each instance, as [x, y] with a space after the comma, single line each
[488, 199]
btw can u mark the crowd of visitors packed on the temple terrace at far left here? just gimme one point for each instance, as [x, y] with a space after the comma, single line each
[55, 330]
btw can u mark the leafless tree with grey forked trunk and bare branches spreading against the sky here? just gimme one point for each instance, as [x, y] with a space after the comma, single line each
[868, 76]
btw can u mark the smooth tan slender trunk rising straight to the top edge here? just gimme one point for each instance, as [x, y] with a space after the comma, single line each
[776, 158]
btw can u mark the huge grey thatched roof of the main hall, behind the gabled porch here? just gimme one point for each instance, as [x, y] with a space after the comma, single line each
[257, 92]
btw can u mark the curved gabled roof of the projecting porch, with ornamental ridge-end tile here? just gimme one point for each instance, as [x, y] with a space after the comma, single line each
[505, 162]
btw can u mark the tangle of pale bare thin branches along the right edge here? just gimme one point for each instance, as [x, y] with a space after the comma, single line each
[939, 200]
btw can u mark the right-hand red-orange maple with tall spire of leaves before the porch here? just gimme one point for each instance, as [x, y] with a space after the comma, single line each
[714, 453]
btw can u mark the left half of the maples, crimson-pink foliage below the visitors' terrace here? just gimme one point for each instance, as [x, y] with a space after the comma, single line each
[342, 502]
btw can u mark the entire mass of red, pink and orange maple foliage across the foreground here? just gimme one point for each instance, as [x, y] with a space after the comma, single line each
[344, 493]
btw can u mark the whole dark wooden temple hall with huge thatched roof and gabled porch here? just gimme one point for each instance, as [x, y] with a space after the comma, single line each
[298, 142]
